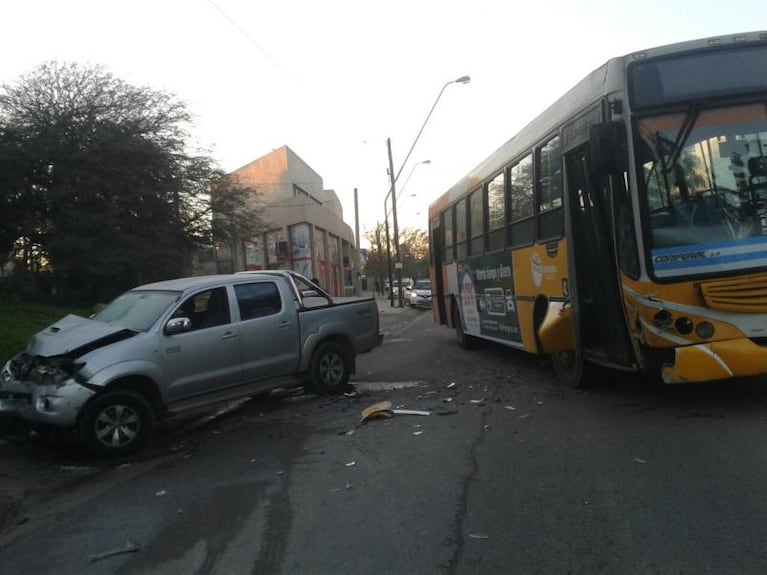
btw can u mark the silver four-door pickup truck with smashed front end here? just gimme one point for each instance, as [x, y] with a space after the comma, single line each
[170, 346]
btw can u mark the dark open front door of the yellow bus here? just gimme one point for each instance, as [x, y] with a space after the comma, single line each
[598, 312]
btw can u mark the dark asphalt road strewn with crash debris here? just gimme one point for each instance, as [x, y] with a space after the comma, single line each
[510, 473]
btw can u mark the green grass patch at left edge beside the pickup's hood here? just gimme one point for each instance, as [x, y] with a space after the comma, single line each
[22, 319]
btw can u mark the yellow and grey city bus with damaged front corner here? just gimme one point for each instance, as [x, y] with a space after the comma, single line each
[625, 227]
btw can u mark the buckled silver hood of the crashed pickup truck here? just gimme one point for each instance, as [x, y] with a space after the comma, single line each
[75, 336]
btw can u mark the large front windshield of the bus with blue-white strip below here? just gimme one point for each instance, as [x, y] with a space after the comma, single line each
[704, 186]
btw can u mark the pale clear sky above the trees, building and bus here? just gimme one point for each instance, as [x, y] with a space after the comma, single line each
[335, 79]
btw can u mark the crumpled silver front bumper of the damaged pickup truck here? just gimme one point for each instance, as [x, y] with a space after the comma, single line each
[51, 404]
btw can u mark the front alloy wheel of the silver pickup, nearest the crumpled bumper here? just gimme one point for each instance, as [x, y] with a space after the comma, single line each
[116, 423]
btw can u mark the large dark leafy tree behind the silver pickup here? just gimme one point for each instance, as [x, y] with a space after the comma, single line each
[99, 179]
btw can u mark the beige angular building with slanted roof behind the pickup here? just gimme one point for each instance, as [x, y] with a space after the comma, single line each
[306, 233]
